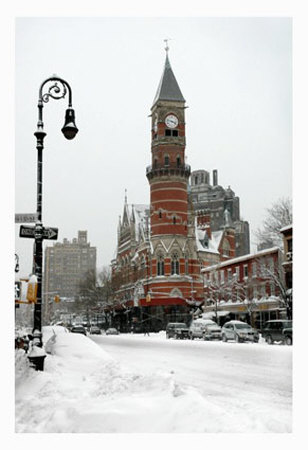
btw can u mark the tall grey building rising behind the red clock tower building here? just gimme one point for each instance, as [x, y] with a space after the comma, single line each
[214, 202]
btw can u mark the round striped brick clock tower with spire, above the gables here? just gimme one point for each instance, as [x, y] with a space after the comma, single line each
[168, 175]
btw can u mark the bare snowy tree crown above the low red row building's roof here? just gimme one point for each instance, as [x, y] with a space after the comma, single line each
[278, 216]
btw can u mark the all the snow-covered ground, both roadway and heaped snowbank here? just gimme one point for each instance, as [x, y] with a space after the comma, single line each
[142, 384]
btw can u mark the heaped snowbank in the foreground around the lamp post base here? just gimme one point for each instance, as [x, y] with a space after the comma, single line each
[82, 389]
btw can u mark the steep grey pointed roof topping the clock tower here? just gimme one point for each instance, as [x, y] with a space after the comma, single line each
[168, 88]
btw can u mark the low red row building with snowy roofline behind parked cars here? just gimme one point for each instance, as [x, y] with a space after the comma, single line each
[249, 288]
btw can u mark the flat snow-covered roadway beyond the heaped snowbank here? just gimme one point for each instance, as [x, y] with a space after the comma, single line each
[249, 386]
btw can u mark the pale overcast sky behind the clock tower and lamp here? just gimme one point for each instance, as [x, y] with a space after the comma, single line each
[236, 77]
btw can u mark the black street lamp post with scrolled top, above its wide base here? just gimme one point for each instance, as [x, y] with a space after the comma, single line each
[56, 88]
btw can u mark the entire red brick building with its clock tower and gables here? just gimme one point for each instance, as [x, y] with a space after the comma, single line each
[162, 247]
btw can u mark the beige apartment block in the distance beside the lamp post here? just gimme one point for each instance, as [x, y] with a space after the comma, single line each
[66, 264]
